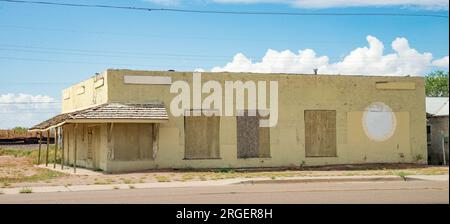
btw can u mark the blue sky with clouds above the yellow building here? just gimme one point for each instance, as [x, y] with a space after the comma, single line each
[44, 49]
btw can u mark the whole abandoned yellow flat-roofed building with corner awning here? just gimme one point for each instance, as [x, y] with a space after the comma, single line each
[120, 120]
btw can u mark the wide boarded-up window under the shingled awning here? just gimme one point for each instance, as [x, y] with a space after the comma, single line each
[133, 141]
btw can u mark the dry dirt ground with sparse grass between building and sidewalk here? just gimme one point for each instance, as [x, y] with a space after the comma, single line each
[17, 170]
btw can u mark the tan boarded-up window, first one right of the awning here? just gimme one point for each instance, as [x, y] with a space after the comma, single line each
[201, 137]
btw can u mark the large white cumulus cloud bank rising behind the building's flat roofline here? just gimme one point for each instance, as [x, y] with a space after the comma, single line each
[368, 60]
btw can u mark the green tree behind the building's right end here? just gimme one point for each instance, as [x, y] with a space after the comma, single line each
[436, 84]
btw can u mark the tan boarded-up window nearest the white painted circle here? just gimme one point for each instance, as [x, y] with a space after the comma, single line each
[320, 133]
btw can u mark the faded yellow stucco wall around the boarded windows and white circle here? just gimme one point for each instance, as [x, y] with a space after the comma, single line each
[348, 95]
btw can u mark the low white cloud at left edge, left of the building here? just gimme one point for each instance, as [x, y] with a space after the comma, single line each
[26, 110]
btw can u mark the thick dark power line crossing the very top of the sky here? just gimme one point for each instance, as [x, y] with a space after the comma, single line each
[224, 12]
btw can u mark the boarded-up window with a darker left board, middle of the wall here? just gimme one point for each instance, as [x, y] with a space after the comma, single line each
[252, 140]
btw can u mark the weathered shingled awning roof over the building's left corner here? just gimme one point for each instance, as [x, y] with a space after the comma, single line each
[109, 113]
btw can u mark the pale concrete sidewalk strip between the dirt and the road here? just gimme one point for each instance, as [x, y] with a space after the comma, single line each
[47, 189]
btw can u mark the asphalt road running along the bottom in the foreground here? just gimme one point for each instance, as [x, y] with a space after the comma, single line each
[310, 193]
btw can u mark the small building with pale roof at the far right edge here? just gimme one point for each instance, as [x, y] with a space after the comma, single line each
[437, 130]
